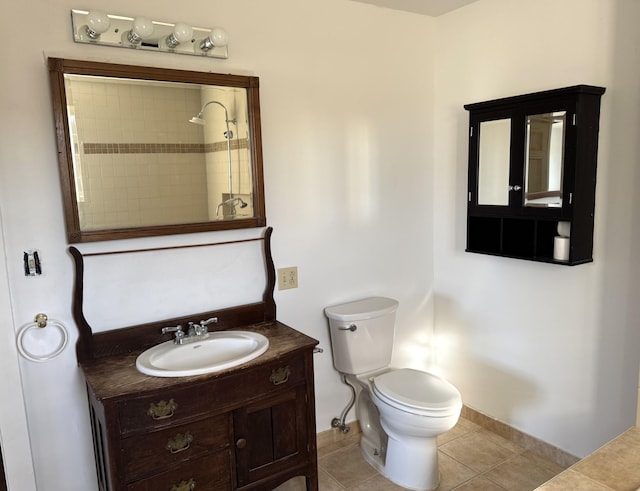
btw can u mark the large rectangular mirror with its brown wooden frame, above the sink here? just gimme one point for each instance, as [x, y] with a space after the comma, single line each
[149, 151]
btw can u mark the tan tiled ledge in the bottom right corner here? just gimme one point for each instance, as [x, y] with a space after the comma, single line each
[615, 466]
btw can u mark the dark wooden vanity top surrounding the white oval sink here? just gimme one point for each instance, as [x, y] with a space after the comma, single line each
[117, 376]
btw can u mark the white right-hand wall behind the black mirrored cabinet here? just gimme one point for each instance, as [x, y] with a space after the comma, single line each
[550, 350]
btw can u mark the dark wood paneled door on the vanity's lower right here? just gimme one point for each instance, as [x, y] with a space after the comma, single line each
[270, 436]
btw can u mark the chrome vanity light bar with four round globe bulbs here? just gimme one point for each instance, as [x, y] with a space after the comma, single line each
[99, 28]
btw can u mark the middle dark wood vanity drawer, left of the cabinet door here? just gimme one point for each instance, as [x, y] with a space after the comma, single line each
[152, 452]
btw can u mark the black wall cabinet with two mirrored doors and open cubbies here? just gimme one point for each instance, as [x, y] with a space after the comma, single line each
[532, 175]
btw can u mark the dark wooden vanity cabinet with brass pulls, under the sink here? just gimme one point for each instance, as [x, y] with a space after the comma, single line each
[252, 427]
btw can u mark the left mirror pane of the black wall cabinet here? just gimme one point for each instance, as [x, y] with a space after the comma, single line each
[493, 166]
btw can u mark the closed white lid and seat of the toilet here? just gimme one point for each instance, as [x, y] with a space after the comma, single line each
[417, 392]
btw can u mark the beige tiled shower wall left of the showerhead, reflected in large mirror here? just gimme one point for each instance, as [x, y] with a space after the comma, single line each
[139, 159]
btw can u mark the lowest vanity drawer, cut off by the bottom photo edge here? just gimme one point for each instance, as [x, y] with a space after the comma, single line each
[210, 473]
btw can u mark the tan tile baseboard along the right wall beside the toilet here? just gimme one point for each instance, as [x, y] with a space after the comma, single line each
[535, 445]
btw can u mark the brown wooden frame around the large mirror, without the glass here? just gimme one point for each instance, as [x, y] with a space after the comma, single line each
[59, 67]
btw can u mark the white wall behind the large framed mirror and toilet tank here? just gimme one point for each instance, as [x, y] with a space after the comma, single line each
[347, 112]
